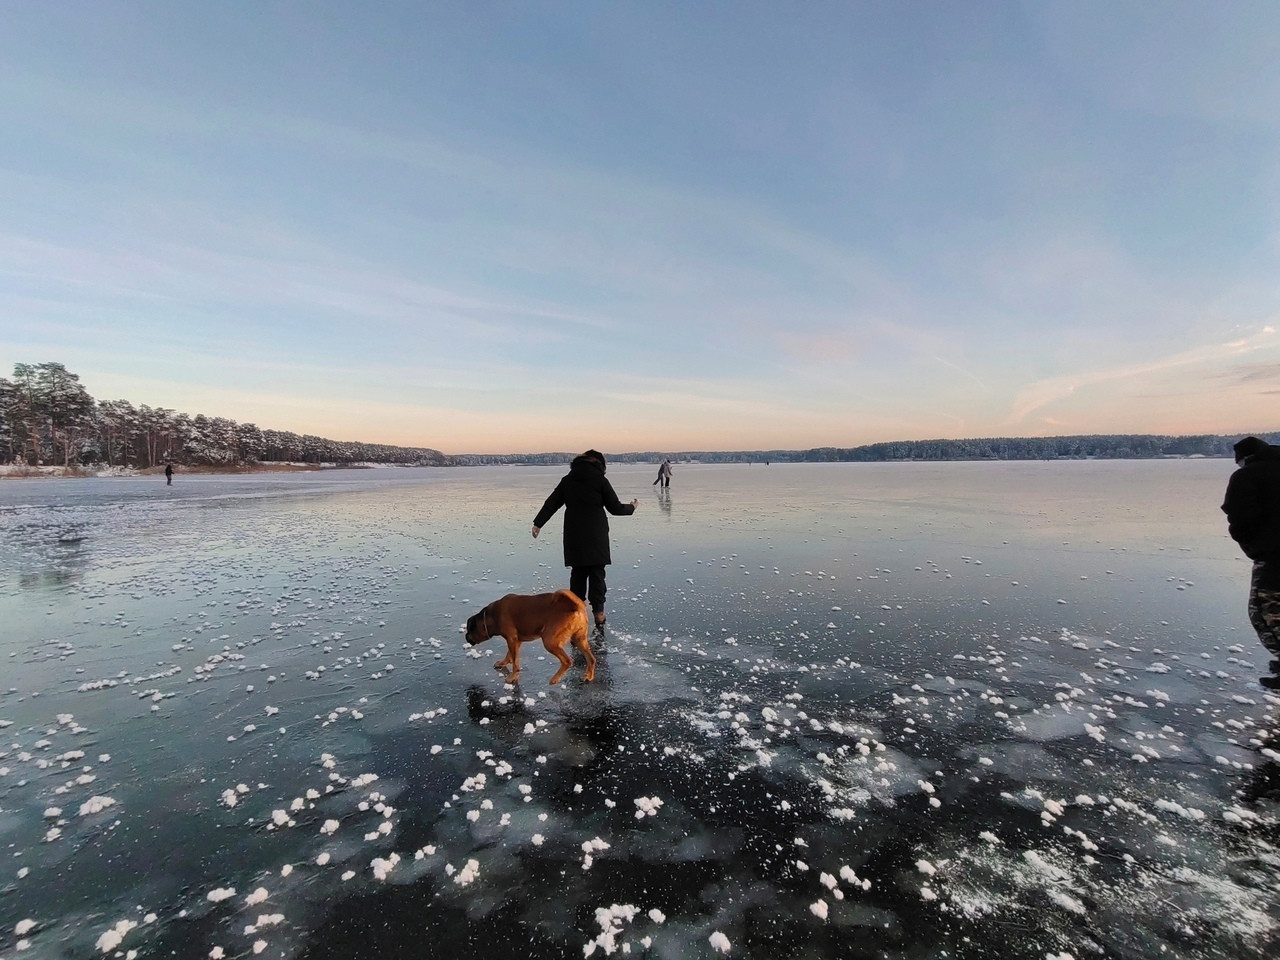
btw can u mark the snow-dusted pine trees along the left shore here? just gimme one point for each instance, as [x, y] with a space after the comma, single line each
[47, 417]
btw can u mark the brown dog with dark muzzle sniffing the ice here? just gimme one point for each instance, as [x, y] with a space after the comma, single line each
[556, 618]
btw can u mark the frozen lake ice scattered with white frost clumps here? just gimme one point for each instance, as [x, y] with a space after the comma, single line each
[899, 710]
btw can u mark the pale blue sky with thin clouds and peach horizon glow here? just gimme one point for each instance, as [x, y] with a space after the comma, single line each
[522, 227]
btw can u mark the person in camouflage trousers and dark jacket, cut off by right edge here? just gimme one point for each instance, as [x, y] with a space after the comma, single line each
[1252, 509]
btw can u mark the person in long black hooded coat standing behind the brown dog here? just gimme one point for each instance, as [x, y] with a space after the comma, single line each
[586, 496]
